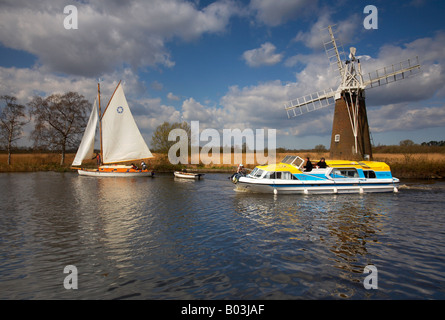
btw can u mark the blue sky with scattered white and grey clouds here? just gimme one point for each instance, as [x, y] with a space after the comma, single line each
[228, 64]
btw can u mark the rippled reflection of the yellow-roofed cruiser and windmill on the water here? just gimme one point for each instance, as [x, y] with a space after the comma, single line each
[336, 231]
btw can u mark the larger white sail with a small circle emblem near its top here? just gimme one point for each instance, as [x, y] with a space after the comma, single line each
[121, 139]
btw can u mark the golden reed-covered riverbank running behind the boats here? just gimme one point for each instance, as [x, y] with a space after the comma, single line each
[403, 166]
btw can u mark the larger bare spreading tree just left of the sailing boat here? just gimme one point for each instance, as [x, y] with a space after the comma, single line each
[59, 121]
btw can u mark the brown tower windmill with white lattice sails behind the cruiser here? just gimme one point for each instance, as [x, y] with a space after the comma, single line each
[350, 130]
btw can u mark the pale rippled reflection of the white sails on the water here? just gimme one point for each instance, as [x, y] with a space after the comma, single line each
[113, 211]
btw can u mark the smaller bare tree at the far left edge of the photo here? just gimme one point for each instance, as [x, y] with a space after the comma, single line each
[12, 120]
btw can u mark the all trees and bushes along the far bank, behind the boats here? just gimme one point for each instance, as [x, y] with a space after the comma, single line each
[60, 119]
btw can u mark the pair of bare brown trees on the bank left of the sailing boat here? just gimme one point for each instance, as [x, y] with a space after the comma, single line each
[59, 121]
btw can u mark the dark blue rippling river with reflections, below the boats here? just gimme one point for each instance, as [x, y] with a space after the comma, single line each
[172, 239]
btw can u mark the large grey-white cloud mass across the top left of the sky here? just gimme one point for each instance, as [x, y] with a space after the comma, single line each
[110, 34]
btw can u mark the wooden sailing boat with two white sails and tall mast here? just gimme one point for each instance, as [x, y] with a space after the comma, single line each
[120, 140]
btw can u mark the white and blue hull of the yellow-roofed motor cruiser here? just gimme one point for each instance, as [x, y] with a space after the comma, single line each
[320, 187]
